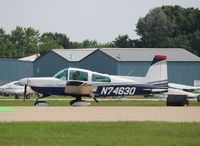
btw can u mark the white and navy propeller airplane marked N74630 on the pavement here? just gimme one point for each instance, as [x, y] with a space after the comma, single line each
[78, 82]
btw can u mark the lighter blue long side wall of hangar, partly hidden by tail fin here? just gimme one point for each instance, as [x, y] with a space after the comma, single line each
[178, 72]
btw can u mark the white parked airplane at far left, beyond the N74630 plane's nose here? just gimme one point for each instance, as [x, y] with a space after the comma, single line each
[14, 88]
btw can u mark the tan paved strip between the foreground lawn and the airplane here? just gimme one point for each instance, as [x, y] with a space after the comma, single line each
[173, 114]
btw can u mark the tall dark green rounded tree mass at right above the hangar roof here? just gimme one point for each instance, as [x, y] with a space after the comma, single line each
[170, 26]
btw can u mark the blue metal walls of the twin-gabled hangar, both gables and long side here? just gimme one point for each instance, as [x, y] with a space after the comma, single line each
[178, 72]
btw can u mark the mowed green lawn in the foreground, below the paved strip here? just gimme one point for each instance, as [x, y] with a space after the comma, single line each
[99, 134]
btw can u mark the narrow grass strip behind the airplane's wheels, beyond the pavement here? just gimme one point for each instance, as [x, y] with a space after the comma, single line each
[63, 102]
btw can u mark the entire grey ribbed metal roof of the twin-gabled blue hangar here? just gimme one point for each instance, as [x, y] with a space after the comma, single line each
[129, 54]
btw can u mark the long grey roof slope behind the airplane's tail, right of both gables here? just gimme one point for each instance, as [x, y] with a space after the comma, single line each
[146, 54]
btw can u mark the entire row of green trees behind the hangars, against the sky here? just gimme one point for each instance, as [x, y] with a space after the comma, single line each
[162, 27]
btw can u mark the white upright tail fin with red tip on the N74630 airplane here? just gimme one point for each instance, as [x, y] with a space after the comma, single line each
[157, 72]
